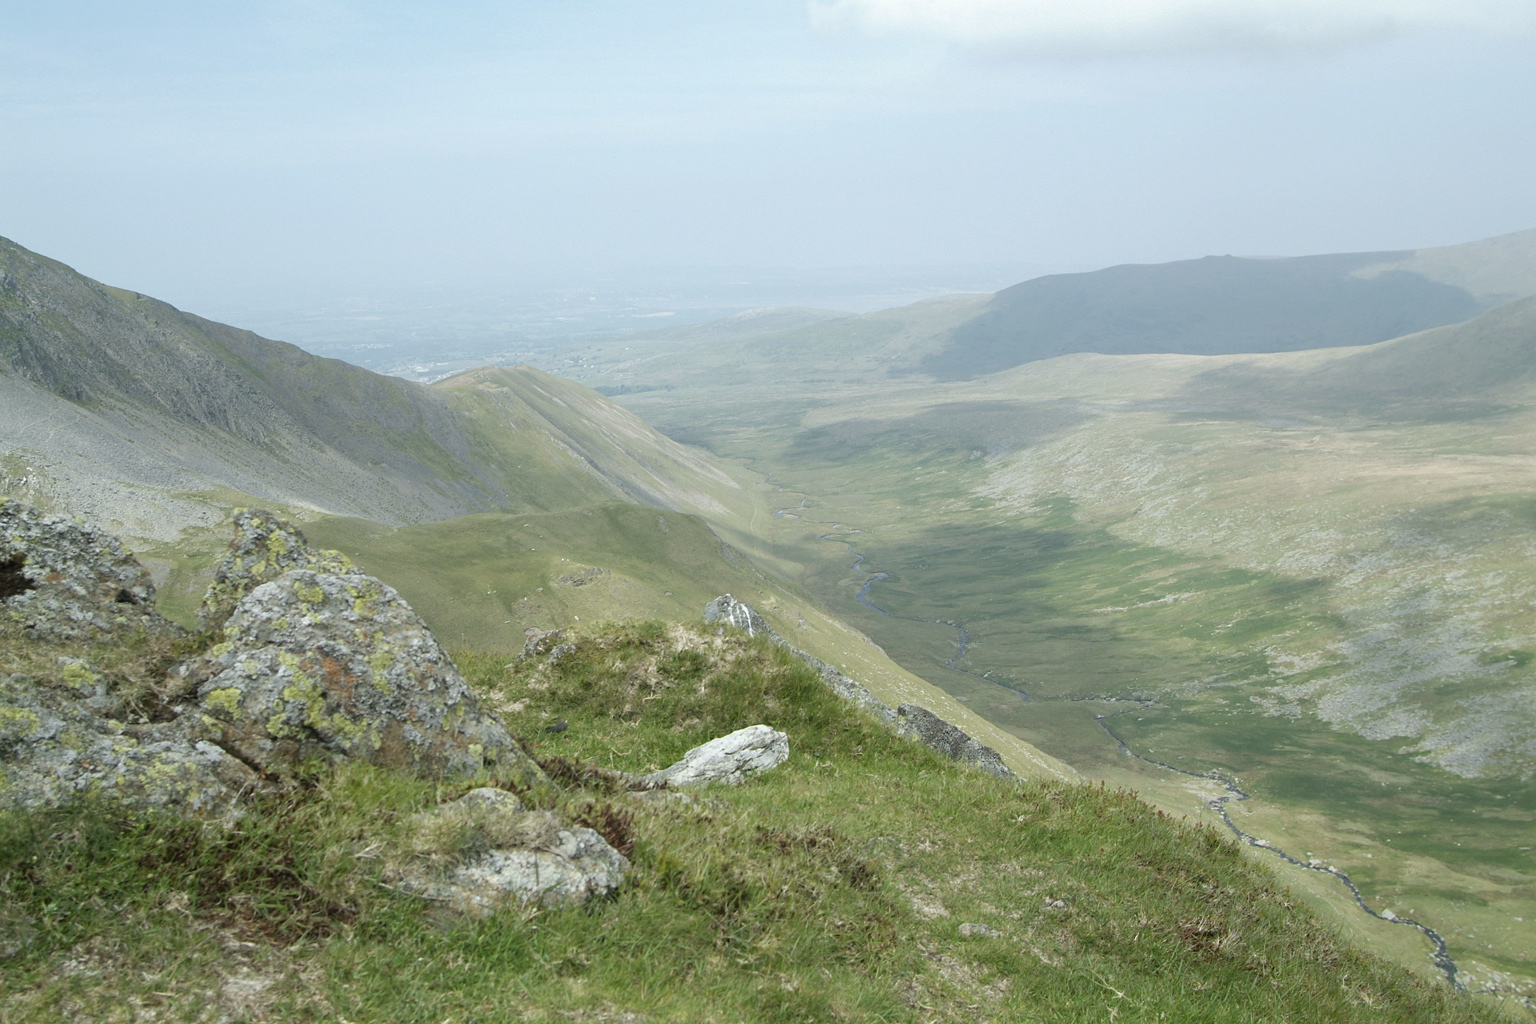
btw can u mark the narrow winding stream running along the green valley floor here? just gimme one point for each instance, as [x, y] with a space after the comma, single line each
[1234, 794]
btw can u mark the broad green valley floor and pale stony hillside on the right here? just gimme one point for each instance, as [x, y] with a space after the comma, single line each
[1309, 572]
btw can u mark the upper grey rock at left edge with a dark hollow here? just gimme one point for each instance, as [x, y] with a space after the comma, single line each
[68, 581]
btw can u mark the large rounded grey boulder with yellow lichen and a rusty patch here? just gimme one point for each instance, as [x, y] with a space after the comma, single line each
[320, 667]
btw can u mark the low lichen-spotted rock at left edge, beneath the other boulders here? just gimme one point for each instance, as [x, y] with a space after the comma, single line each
[56, 748]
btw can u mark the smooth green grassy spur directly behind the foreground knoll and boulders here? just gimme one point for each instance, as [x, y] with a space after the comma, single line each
[485, 580]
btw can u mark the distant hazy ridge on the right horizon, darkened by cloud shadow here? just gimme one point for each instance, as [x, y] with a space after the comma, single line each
[1210, 306]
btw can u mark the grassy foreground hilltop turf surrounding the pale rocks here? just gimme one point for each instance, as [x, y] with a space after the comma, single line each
[864, 880]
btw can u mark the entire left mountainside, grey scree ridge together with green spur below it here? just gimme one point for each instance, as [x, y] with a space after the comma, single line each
[124, 409]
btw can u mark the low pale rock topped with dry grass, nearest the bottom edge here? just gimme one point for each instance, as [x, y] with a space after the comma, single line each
[502, 851]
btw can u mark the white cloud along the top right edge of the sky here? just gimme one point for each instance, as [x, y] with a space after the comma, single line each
[1148, 27]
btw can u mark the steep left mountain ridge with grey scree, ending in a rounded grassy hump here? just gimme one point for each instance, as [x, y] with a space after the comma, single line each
[124, 406]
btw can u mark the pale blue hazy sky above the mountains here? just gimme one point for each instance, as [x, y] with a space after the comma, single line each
[204, 151]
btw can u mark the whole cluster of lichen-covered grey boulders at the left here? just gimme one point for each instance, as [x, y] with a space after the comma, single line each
[313, 667]
